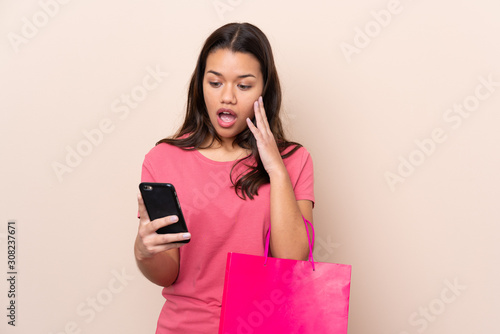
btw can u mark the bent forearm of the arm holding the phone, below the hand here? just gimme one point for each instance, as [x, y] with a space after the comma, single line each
[162, 268]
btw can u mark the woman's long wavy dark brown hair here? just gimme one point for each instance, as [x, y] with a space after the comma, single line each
[245, 38]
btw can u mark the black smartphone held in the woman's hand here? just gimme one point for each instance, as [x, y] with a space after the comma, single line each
[161, 200]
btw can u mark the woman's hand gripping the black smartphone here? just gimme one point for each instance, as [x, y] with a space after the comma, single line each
[149, 243]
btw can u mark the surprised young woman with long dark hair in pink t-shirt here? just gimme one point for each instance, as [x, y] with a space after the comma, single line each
[235, 174]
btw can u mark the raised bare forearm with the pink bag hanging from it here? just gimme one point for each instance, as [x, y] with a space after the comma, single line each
[288, 231]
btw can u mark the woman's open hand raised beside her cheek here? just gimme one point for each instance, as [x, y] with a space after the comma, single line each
[266, 144]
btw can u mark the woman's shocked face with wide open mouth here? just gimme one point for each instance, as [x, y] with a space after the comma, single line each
[232, 83]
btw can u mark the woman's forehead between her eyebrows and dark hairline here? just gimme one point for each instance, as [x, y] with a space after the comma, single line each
[228, 63]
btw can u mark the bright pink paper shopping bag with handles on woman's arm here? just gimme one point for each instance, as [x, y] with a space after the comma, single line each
[270, 295]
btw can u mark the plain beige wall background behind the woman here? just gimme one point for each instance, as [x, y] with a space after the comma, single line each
[412, 219]
